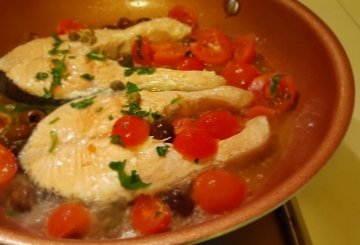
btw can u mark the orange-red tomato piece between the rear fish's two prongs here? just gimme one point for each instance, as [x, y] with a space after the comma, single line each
[168, 53]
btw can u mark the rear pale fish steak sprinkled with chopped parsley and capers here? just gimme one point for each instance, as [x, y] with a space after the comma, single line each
[62, 68]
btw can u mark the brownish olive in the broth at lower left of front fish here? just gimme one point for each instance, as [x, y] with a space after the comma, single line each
[23, 198]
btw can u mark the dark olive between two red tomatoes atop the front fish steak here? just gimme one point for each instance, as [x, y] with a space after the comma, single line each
[162, 129]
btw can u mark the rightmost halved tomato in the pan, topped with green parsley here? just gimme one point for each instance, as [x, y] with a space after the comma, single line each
[274, 91]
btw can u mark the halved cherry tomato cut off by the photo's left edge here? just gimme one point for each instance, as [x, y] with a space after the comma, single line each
[8, 165]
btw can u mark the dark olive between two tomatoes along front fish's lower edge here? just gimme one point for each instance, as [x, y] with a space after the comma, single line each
[180, 202]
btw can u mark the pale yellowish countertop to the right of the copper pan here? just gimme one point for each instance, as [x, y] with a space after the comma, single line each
[330, 203]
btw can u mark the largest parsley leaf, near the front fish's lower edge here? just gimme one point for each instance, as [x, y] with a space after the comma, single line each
[129, 182]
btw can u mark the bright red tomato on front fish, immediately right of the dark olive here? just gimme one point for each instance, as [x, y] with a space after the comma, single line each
[195, 143]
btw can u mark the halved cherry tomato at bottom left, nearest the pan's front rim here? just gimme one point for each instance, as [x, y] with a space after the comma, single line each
[69, 220]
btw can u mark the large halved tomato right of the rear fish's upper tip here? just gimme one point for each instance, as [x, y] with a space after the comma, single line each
[212, 46]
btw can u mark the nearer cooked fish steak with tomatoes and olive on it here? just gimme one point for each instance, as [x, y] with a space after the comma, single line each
[69, 152]
